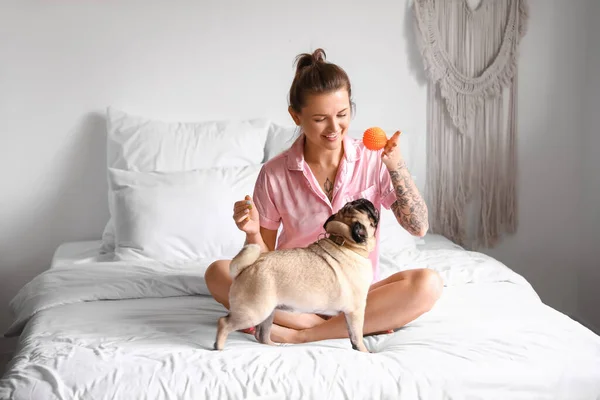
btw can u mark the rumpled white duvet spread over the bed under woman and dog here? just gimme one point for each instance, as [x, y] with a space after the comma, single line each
[145, 331]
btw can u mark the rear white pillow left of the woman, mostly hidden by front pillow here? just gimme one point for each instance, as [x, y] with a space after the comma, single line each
[141, 144]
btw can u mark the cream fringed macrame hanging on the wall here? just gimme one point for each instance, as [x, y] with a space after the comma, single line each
[471, 58]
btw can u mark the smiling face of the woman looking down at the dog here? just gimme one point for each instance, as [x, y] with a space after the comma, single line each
[325, 119]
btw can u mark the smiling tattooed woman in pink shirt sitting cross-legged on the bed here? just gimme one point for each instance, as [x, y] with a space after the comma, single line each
[313, 179]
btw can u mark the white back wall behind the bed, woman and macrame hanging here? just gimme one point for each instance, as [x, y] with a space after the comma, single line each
[63, 62]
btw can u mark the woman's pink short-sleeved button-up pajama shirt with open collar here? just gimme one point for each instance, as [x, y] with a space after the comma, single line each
[287, 193]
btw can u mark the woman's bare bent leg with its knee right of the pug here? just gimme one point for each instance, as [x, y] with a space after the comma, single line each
[391, 304]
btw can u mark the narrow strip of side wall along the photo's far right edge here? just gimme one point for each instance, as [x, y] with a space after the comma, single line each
[589, 276]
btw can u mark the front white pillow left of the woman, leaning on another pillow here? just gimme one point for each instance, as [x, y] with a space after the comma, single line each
[178, 217]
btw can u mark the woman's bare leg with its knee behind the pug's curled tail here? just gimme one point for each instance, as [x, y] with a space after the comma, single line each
[219, 281]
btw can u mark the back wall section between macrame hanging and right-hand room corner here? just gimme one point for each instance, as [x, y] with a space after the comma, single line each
[546, 248]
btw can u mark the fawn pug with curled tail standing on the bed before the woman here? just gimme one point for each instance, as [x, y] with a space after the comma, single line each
[330, 276]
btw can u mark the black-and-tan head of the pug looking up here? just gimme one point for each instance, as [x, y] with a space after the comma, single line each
[360, 219]
